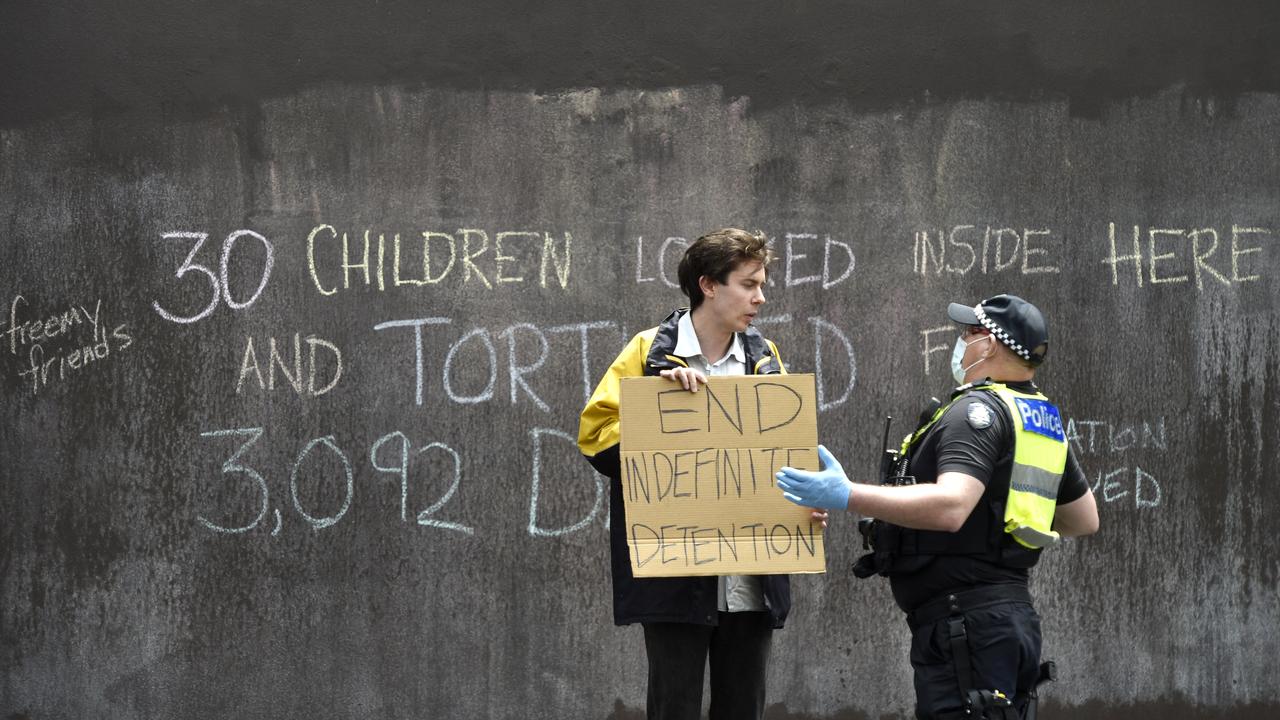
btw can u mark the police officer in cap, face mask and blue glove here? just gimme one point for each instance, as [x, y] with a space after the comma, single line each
[980, 490]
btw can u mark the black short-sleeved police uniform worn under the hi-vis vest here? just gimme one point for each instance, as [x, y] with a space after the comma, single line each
[977, 573]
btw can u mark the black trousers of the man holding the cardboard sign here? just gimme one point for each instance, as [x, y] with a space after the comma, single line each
[739, 654]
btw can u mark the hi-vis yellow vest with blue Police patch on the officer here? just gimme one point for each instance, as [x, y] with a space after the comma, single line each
[1040, 459]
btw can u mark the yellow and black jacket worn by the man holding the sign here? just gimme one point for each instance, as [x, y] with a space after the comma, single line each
[661, 600]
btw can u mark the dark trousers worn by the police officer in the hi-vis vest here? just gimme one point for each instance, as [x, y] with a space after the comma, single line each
[1004, 651]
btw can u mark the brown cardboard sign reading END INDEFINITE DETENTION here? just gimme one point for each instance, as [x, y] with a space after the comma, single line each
[698, 476]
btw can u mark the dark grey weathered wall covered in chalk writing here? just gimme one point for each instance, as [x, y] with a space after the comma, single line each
[606, 131]
